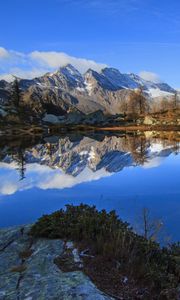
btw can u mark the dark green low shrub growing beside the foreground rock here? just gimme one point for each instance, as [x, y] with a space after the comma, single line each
[108, 236]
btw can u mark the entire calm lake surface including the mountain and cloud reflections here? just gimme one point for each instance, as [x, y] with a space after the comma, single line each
[126, 173]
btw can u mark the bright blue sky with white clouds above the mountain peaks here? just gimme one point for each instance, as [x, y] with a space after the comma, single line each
[132, 35]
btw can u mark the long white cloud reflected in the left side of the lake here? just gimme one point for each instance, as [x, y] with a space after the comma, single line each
[43, 177]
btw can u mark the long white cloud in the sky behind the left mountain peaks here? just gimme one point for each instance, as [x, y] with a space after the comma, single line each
[37, 63]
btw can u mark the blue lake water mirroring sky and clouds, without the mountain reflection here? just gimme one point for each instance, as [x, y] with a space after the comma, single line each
[154, 185]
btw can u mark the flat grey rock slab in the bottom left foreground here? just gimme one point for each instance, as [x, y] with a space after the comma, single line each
[28, 272]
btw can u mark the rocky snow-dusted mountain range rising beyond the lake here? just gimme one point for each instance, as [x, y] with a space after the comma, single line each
[67, 90]
